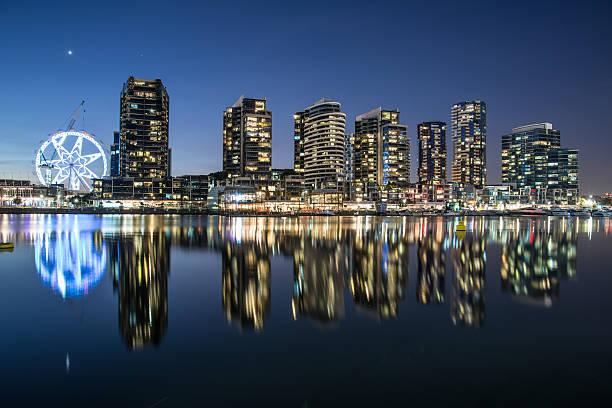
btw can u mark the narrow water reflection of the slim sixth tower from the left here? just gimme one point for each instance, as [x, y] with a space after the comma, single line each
[467, 306]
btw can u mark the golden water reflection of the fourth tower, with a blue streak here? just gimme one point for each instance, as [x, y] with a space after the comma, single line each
[380, 270]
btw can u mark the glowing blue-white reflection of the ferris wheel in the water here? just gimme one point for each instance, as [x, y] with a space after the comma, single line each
[70, 262]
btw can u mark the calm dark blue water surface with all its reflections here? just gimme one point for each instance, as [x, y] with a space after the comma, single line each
[165, 311]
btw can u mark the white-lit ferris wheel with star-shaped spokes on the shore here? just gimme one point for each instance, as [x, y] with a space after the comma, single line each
[70, 156]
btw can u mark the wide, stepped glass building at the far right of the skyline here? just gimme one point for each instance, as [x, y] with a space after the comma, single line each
[533, 160]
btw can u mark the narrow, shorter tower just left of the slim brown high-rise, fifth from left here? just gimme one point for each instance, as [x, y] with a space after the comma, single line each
[432, 152]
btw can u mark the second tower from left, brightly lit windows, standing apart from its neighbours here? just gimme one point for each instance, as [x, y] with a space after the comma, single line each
[247, 139]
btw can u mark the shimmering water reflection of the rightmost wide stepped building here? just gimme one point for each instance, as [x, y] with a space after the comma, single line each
[533, 264]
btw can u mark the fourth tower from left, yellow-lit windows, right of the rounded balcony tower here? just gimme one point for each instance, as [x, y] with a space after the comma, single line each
[382, 152]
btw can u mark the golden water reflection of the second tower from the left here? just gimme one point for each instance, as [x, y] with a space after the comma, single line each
[246, 284]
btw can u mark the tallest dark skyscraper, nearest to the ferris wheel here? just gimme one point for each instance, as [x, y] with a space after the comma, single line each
[144, 129]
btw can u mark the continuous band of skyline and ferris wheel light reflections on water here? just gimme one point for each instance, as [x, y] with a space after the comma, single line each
[368, 255]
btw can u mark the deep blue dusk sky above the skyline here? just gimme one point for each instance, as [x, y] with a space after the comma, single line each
[530, 61]
